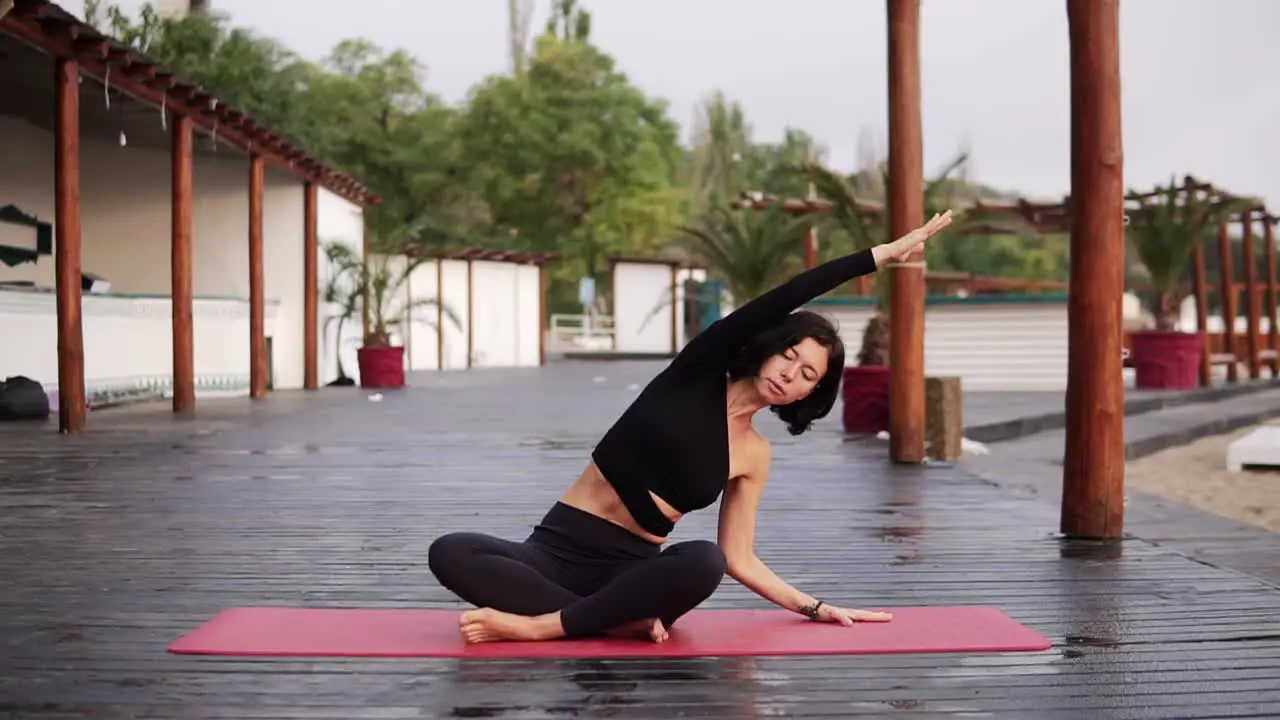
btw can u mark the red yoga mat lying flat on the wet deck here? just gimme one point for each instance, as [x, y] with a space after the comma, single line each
[702, 634]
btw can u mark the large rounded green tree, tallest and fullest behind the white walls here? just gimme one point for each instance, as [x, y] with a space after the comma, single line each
[572, 157]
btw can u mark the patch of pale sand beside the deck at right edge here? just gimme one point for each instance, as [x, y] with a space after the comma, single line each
[1196, 476]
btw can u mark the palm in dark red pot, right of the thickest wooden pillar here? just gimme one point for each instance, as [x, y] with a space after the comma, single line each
[1164, 230]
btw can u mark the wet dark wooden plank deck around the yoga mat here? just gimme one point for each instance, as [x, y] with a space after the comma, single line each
[116, 544]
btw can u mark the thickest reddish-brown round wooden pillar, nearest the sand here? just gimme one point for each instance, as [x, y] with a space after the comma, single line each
[1094, 459]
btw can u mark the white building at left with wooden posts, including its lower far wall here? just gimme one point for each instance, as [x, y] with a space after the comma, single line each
[156, 190]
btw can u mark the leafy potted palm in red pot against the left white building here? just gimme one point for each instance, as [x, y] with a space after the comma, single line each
[373, 286]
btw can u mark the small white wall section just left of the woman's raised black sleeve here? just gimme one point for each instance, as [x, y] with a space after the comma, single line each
[642, 308]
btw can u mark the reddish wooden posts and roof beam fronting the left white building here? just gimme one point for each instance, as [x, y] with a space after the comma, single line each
[80, 52]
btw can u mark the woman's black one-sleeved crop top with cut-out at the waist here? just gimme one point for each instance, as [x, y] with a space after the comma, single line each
[674, 439]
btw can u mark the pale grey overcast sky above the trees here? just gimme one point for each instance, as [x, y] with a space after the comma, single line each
[1201, 93]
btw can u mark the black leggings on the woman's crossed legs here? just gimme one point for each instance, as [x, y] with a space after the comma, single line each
[598, 575]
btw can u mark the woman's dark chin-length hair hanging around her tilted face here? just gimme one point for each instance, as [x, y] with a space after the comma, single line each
[796, 329]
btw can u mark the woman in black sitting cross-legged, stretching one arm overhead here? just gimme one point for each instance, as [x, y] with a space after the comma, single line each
[596, 564]
